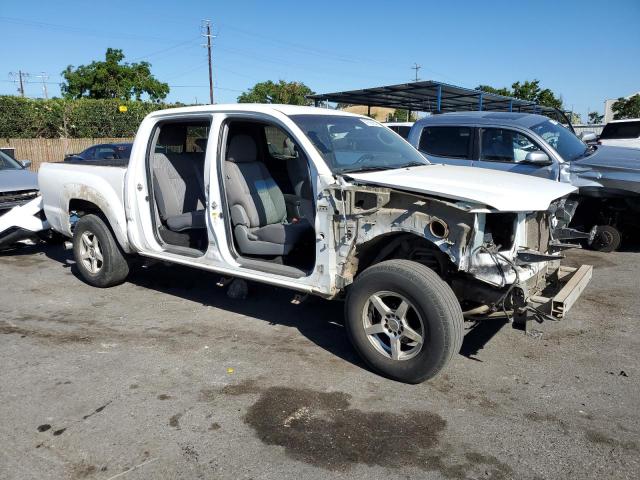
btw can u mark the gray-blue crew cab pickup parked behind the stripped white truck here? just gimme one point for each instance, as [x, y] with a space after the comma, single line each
[608, 177]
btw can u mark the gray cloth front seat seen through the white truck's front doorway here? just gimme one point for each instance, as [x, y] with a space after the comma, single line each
[257, 205]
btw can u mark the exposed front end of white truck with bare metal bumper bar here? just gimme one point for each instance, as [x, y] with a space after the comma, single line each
[521, 274]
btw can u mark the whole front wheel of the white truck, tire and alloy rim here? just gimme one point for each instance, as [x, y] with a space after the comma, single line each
[403, 320]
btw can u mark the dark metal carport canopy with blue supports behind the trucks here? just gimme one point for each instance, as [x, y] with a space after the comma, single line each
[436, 97]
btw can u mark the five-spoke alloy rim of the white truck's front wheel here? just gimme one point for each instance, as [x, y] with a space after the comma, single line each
[393, 325]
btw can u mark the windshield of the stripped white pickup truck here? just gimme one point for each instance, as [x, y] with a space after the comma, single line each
[355, 144]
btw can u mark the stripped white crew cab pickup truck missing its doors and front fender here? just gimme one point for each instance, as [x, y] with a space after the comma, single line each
[325, 203]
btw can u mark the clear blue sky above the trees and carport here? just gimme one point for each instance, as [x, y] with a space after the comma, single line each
[586, 51]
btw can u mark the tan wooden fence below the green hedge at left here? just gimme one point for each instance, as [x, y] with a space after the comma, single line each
[40, 150]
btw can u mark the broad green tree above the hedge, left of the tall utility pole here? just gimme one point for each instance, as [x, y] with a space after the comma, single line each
[112, 78]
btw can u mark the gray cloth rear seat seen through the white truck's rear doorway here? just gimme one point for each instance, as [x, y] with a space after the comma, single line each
[179, 190]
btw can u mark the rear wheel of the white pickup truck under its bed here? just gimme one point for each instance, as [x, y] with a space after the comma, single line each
[114, 267]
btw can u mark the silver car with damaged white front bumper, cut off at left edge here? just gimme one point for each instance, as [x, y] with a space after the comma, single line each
[21, 215]
